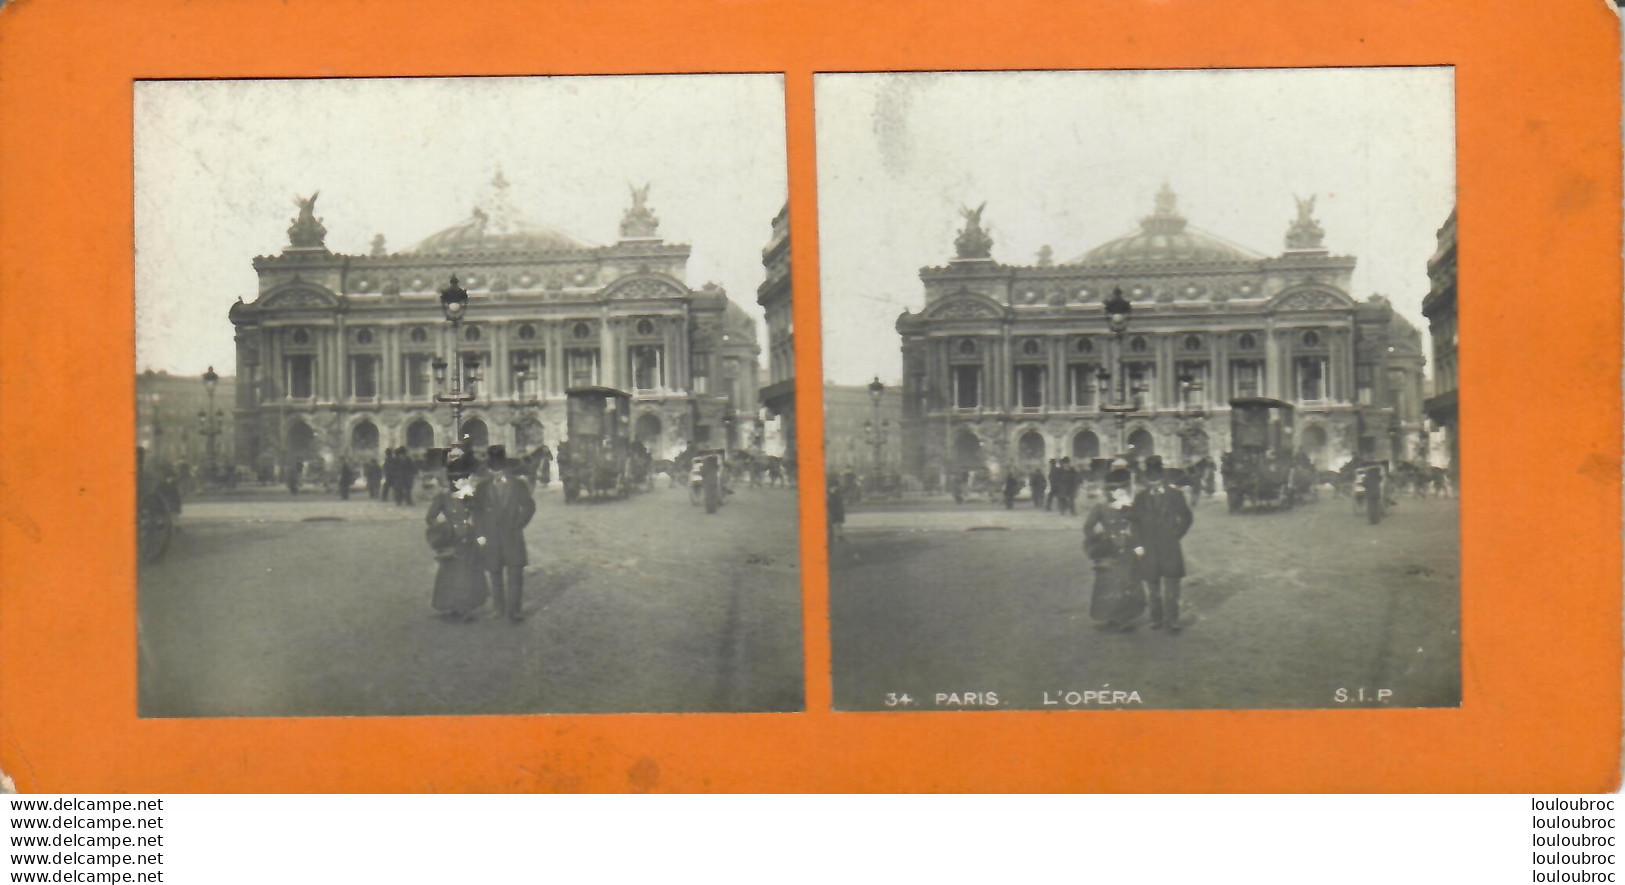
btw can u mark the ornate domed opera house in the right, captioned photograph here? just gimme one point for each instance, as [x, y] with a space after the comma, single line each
[1002, 365]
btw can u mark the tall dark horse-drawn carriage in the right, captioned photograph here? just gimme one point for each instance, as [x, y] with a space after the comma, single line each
[1260, 470]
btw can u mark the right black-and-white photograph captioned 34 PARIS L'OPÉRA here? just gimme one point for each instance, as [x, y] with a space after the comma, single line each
[1140, 389]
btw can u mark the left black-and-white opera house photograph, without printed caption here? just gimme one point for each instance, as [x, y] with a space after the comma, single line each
[464, 397]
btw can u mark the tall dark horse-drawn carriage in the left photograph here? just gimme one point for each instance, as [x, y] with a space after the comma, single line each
[596, 460]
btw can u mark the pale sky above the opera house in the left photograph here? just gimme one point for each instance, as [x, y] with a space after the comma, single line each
[219, 166]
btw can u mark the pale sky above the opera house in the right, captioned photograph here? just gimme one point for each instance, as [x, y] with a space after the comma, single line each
[1073, 160]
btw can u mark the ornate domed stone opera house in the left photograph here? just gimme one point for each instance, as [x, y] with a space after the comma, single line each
[336, 353]
